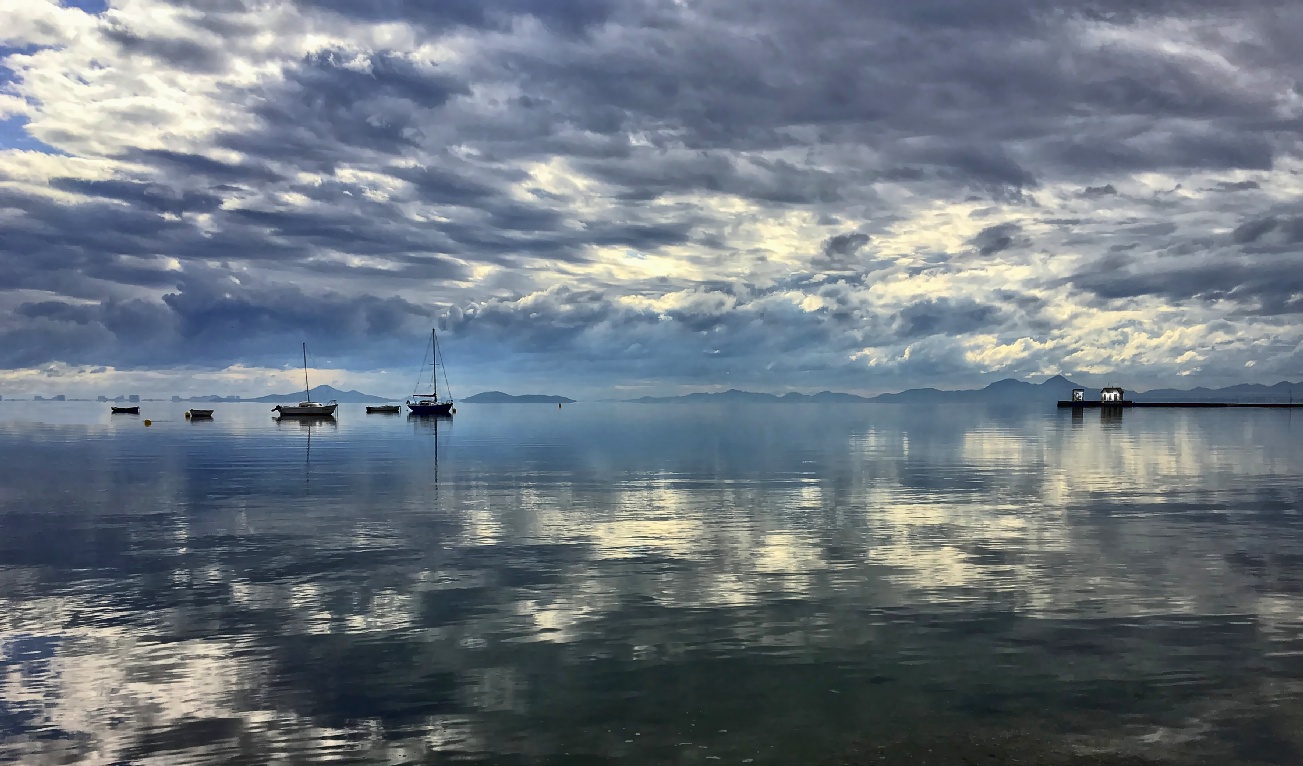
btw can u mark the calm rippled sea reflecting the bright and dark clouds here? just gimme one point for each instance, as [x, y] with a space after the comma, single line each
[647, 584]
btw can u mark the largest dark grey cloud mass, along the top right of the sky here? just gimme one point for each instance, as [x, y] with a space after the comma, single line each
[964, 96]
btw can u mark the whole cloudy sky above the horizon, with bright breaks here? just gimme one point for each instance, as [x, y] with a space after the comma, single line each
[631, 197]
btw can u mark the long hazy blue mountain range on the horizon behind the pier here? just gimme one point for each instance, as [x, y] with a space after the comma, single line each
[1008, 391]
